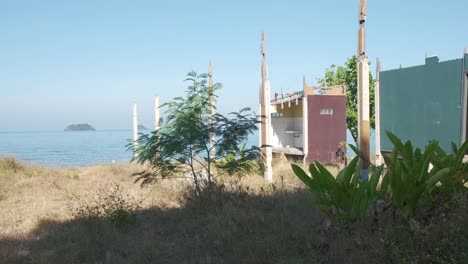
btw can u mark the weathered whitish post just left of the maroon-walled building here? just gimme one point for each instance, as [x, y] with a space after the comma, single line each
[265, 116]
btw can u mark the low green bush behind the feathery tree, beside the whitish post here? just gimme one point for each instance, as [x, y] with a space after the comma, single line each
[241, 162]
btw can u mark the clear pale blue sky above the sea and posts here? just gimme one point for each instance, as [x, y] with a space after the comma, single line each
[65, 62]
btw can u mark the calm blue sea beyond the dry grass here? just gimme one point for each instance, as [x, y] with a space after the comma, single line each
[82, 148]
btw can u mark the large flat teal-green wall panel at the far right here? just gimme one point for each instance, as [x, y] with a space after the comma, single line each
[422, 103]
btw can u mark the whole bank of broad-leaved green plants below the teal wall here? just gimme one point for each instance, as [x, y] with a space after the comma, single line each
[408, 180]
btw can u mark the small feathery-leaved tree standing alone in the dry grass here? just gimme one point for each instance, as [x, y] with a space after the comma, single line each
[183, 143]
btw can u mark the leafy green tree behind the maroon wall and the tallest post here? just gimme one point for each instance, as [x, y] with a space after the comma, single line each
[347, 75]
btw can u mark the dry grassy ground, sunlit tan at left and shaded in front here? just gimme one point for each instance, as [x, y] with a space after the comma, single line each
[98, 215]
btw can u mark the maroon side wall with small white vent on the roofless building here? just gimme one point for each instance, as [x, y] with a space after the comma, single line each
[326, 127]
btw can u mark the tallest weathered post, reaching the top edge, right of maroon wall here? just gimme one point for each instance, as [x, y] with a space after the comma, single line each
[363, 93]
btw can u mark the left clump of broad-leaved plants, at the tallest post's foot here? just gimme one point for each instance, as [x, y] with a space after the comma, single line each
[347, 195]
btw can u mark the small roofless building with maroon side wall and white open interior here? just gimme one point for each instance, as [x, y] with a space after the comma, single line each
[310, 125]
